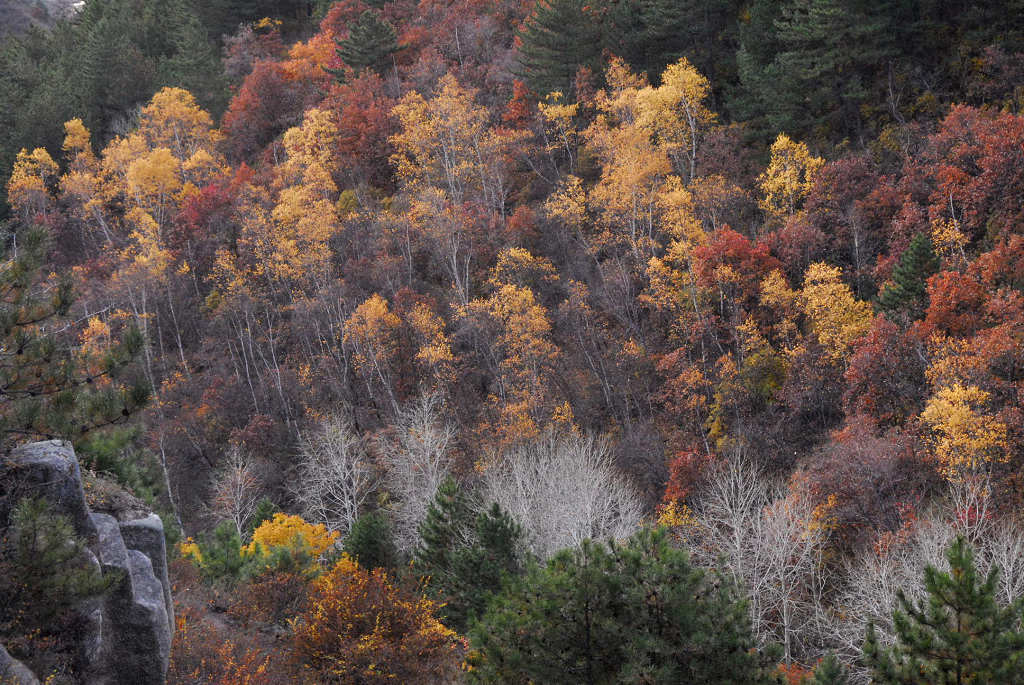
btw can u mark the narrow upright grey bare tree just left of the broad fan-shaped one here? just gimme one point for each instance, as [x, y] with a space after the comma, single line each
[416, 458]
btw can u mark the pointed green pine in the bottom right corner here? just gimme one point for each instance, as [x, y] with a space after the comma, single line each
[958, 634]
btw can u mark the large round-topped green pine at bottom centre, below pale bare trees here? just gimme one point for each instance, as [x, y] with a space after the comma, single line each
[634, 613]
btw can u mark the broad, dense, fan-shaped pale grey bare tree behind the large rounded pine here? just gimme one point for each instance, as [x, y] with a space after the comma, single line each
[564, 490]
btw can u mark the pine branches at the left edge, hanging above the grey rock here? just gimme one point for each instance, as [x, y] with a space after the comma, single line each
[44, 393]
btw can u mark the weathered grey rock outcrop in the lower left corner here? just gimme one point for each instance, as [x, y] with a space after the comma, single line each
[130, 635]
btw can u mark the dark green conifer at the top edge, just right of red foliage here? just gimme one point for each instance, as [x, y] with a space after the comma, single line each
[559, 38]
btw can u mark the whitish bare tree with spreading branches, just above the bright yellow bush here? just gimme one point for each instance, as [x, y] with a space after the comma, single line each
[335, 475]
